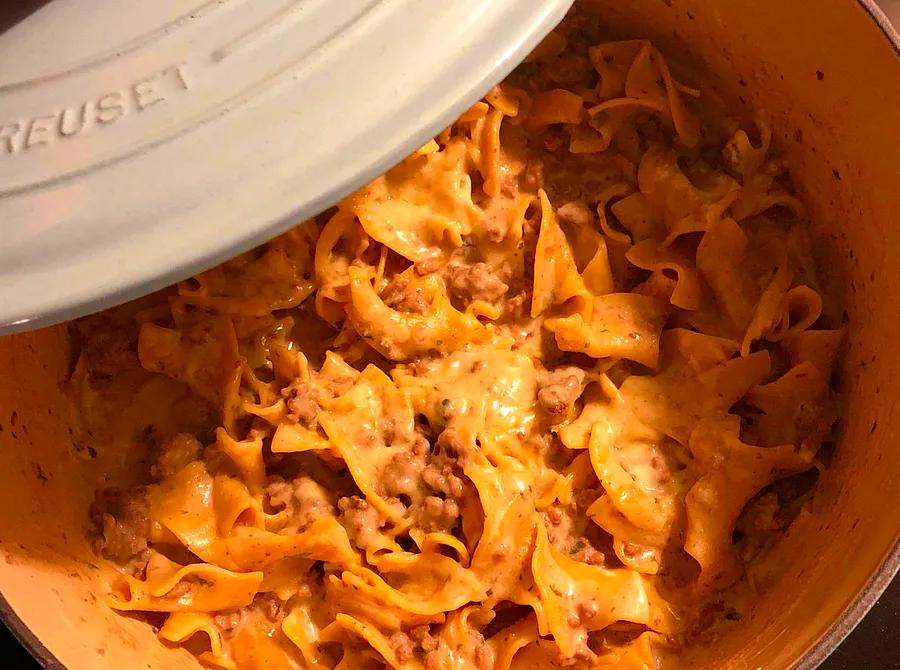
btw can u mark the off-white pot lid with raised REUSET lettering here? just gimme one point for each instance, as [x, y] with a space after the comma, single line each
[142, 141]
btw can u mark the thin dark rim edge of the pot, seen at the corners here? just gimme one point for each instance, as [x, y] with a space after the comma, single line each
[837, 632]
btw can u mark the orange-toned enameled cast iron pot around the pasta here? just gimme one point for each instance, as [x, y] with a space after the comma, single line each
[828, 71]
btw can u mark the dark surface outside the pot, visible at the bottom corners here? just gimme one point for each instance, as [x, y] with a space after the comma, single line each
[875, 645]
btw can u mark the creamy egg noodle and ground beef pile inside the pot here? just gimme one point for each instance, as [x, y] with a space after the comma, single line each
[535, 397]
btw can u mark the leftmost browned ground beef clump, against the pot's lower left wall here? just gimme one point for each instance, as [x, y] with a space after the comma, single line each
[123, 524]
